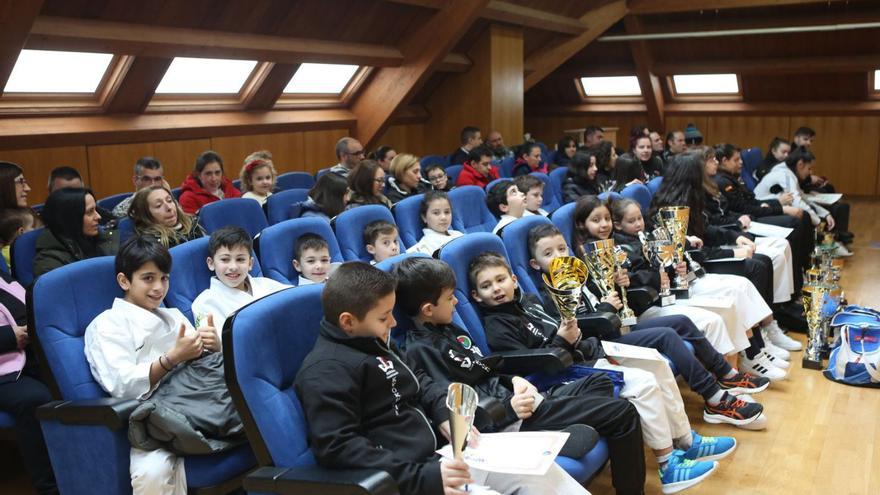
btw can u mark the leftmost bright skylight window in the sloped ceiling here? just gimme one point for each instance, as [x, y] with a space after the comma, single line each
[46, 71]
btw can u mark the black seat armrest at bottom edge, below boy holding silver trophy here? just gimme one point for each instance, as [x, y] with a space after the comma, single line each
[314, 479]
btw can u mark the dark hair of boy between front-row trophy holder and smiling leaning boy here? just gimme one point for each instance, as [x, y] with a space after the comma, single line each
[420, 281]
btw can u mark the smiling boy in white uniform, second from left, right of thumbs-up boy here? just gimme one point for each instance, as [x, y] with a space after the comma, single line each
[229, 257]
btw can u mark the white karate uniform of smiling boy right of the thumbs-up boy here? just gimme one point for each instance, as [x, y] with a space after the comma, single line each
[221, 300]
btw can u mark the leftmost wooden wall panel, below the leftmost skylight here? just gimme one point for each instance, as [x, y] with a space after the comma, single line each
[38, 163]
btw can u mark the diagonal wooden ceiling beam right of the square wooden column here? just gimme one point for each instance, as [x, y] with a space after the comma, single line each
[545, 61]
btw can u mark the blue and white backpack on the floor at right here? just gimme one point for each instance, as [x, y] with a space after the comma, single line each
[856, 359]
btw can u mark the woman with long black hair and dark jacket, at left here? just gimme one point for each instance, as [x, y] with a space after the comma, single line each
[71, 233]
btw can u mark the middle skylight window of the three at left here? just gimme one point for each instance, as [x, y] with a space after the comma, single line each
[205, 75]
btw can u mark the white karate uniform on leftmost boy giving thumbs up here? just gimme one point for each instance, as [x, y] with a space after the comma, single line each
[120, 345]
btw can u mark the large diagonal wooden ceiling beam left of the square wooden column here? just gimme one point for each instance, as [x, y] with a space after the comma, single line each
[391, 88]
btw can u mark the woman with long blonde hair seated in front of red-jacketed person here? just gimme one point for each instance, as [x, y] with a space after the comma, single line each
[157, 214]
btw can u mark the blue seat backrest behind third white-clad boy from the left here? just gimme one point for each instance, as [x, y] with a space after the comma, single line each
[278, 242]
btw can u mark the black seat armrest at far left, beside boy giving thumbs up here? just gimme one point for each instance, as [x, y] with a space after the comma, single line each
[109, 412]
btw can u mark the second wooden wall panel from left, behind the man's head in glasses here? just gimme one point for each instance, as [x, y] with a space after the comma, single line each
[111, 166]
